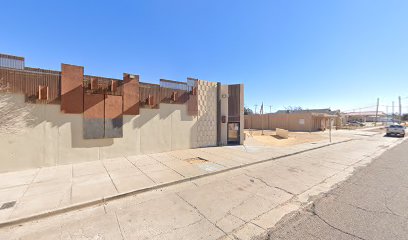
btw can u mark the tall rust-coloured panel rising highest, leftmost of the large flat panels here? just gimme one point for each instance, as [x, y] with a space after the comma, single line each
[72, 97]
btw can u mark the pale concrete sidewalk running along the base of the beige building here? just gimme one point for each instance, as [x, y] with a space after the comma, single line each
[40, 192]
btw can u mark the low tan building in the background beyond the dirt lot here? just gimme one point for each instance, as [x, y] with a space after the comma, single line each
[300, 120]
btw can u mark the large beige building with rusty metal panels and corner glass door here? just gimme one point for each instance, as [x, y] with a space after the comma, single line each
[76, 117]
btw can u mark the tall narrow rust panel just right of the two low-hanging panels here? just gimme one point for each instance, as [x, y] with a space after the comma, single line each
[130, 94]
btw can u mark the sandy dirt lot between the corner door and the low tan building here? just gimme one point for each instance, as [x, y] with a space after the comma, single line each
[255, 137]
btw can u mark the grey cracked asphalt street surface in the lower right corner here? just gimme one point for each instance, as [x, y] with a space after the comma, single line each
[372, 204]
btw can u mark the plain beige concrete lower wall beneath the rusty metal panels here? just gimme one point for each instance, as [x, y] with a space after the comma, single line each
[55, 138]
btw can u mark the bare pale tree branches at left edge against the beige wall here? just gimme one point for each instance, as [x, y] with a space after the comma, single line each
[14, 117]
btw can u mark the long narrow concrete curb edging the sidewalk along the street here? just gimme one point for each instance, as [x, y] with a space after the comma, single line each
[143, 190]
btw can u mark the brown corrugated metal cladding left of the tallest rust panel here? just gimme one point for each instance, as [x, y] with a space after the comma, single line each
[28, 82]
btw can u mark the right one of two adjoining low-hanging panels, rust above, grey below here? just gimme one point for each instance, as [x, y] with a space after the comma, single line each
[113, 116]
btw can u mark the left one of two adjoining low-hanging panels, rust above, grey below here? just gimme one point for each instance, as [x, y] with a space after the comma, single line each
[94, 116]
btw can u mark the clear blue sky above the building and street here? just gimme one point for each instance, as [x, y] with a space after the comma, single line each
[314, 54]
